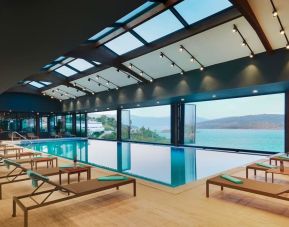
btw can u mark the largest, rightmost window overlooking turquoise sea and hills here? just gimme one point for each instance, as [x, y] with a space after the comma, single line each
[251, 123]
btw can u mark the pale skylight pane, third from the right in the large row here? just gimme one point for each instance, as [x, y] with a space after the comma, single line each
[124, 43]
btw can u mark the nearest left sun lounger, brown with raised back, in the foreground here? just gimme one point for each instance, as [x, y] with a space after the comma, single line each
[73, 191]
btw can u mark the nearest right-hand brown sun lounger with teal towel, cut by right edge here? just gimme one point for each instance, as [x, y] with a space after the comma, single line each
[261, 188]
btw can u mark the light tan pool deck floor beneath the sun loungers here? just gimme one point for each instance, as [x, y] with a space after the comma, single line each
[154, 205]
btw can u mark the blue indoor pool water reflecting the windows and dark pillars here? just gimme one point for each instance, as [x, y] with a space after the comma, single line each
[172, 166]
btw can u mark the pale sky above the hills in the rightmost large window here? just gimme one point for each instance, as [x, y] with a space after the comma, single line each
[265, 104]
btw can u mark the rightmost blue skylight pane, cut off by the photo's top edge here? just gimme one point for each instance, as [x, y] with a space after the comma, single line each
[196, 10]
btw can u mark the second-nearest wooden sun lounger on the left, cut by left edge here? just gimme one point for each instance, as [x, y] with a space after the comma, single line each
[18, 174]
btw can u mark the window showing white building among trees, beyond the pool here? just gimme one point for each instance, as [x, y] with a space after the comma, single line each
[102, 125]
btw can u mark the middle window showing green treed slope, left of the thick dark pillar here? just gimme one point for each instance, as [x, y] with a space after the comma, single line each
[148, 124]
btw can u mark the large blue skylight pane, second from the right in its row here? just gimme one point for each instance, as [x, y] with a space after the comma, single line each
[159, 26]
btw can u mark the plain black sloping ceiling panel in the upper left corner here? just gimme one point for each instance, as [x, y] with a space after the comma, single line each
[34, 32]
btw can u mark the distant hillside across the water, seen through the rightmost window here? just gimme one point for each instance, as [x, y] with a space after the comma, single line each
[263, 121]
